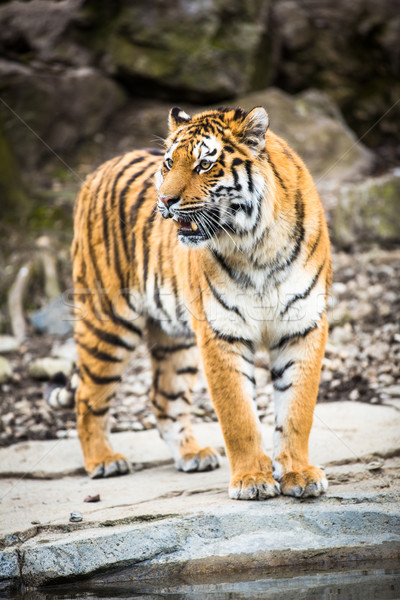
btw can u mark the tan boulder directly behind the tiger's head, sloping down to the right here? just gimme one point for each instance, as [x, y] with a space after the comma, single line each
[328, 147]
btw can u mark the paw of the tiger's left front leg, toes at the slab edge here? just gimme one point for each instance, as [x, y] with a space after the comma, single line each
[253, 486]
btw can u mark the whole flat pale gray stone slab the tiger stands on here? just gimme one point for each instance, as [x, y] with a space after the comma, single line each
[158, 520]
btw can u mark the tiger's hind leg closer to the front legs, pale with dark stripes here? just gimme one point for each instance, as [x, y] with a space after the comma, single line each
[174, 364]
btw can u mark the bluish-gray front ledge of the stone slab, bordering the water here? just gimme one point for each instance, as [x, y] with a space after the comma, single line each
[251, 535]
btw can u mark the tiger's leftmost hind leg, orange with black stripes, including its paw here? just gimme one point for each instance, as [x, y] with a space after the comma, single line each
[103, 349]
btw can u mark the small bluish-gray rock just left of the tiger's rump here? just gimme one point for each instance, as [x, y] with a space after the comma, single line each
[55, 318]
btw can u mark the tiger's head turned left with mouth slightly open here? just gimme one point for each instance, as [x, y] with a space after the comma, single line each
[210, 183]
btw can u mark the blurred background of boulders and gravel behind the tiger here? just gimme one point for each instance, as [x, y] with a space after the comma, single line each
[84, 80]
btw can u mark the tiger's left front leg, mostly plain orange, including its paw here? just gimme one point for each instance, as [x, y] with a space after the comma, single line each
[229, 369]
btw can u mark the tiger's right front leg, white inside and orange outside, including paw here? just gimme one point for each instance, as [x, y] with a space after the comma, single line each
[296, 369]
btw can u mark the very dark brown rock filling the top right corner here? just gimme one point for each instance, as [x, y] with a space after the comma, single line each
[314, 39]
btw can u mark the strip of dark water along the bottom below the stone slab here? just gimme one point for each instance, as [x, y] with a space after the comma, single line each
[380, 581]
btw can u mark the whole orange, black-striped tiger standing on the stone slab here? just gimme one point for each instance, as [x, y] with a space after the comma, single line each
[216, 247]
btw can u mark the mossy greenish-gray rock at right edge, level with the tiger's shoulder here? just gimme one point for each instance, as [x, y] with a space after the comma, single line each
[368, 211]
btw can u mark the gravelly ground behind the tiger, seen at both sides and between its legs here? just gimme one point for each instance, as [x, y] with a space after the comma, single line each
[362, 361]
